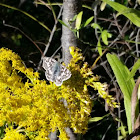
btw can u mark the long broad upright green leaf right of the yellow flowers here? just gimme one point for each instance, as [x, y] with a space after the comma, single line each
[121, 72]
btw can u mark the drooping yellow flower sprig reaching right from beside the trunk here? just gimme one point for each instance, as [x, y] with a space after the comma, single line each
[87, 78]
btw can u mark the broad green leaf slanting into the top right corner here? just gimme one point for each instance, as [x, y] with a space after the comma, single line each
[131, 14]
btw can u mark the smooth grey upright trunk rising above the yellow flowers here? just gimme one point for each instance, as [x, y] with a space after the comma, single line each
[70, 9]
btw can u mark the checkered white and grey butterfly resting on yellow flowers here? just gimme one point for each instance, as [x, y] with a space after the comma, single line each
[55, 71]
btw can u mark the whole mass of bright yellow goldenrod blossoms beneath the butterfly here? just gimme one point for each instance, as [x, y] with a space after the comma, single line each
[39, 108]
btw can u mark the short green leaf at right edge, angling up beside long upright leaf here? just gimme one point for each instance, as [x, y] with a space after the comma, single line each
[134, 69]
